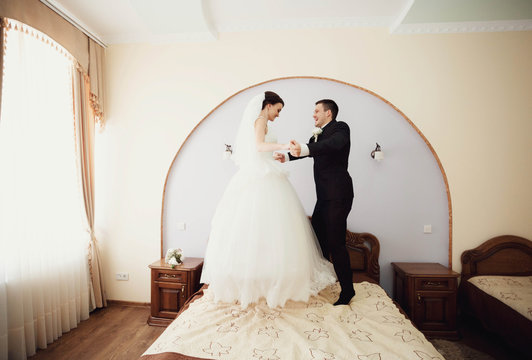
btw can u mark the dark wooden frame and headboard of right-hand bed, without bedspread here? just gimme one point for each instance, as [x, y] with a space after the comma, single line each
[503, 255]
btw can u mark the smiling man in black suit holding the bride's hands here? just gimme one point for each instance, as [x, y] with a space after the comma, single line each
[334, 188]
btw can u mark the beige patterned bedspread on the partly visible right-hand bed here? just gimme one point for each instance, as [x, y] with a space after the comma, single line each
[514, 291]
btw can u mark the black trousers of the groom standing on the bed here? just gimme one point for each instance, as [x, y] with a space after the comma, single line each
[329, 221]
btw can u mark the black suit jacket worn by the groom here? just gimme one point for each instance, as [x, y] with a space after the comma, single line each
[331, 155]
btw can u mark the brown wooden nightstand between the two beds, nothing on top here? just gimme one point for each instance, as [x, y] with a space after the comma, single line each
[427, 293]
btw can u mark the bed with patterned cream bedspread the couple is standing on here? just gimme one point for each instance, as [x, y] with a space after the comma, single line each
[372, 327]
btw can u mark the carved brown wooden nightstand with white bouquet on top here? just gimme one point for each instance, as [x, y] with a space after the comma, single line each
[170, 288]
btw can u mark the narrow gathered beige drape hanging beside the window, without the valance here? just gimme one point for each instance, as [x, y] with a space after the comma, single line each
[84, 118]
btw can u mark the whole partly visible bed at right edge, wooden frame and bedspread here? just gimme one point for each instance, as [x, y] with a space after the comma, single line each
[496, 288]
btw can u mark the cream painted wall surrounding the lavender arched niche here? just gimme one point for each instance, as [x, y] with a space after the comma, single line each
[468, 93]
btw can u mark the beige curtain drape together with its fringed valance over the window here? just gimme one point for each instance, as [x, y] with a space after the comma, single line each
[88, 95]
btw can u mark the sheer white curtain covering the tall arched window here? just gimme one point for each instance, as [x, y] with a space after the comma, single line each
[43, 247]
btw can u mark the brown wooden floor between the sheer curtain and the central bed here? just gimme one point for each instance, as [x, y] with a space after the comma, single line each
[116, 332]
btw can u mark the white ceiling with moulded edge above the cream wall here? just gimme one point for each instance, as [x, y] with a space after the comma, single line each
[135, 21]
